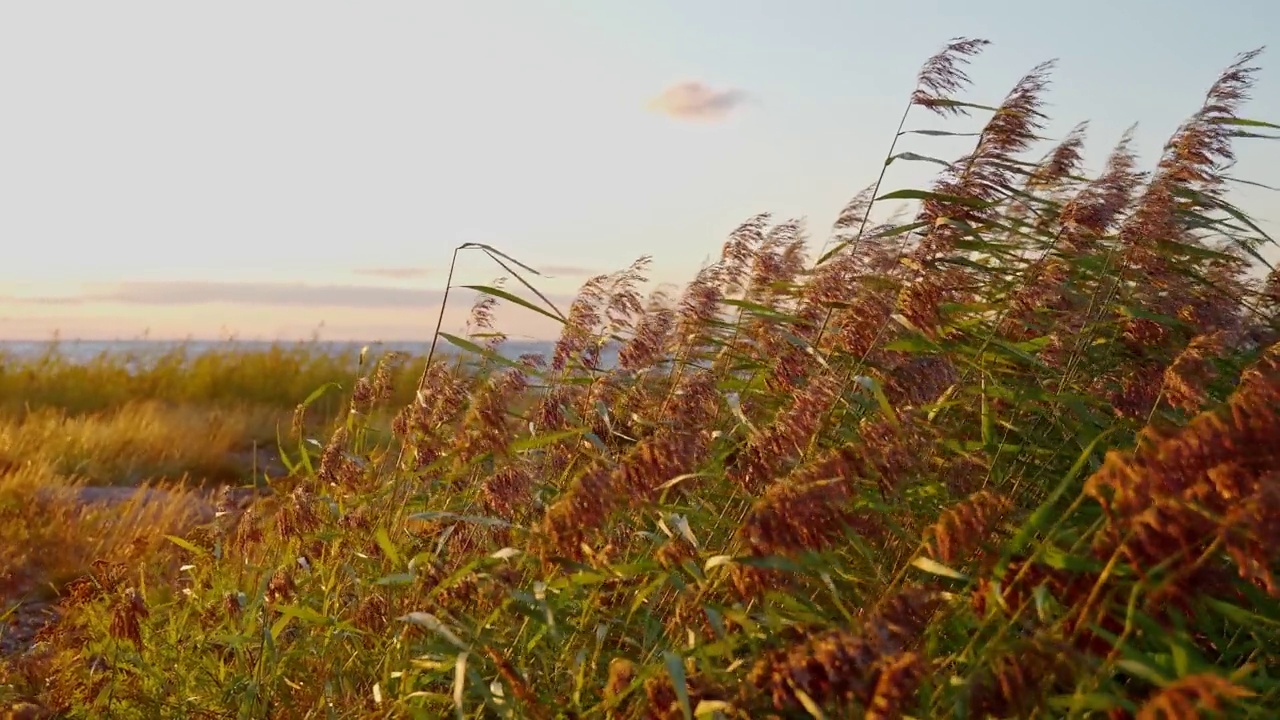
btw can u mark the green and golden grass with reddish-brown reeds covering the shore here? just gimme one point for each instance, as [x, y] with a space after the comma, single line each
[1013, 458]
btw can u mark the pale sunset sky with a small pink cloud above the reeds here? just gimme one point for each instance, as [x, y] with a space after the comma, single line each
[272, 170]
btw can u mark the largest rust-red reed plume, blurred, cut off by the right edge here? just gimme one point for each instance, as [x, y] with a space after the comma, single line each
[1209, 482]
